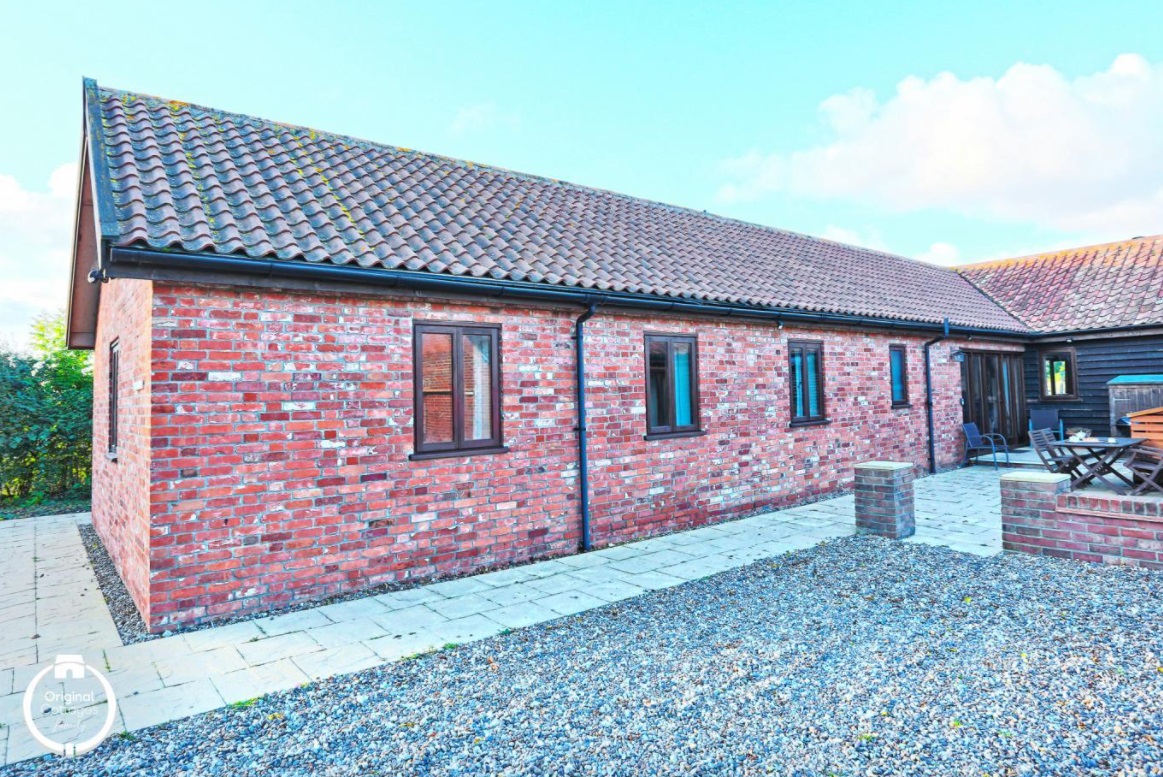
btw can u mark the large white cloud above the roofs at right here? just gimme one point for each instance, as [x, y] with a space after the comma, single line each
[1082, 155]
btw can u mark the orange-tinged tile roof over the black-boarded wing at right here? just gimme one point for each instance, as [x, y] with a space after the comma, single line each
[1093, 288]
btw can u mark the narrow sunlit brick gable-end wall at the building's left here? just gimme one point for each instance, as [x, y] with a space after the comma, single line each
[122, 487]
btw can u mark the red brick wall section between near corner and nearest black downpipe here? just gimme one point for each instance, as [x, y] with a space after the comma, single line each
[283, 429]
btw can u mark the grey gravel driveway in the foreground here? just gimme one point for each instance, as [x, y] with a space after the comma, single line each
[860, 657]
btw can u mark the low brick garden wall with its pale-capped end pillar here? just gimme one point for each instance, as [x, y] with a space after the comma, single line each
[1041, 516]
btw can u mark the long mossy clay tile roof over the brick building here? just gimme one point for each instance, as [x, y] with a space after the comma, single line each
[196, 180]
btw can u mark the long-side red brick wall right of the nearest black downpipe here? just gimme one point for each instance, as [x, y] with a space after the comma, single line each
[751, 458]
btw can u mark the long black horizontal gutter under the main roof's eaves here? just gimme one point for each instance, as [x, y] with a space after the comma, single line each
[420, 281]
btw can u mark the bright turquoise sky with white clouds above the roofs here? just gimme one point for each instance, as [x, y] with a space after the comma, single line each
[946, 132]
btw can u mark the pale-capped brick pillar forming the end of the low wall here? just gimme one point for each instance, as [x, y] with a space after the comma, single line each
[1030, 511]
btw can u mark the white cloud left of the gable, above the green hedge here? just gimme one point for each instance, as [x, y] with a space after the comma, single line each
[35, 240]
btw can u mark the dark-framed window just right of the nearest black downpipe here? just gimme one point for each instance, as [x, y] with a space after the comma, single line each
[673, 386]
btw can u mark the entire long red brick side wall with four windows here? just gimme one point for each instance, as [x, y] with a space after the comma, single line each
[282, 432]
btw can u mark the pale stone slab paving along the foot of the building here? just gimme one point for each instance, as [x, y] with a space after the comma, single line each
[51, 593]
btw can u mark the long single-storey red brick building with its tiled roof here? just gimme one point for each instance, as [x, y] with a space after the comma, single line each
[324, 363]
